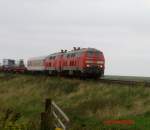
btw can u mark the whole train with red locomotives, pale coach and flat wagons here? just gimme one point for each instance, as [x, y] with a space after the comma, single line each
[79, 62]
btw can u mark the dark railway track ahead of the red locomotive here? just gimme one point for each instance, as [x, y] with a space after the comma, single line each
[126, 82]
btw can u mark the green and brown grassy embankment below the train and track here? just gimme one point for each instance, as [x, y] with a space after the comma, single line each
[87, 103]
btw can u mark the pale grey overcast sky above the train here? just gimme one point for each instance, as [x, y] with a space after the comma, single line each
[120, 28]
